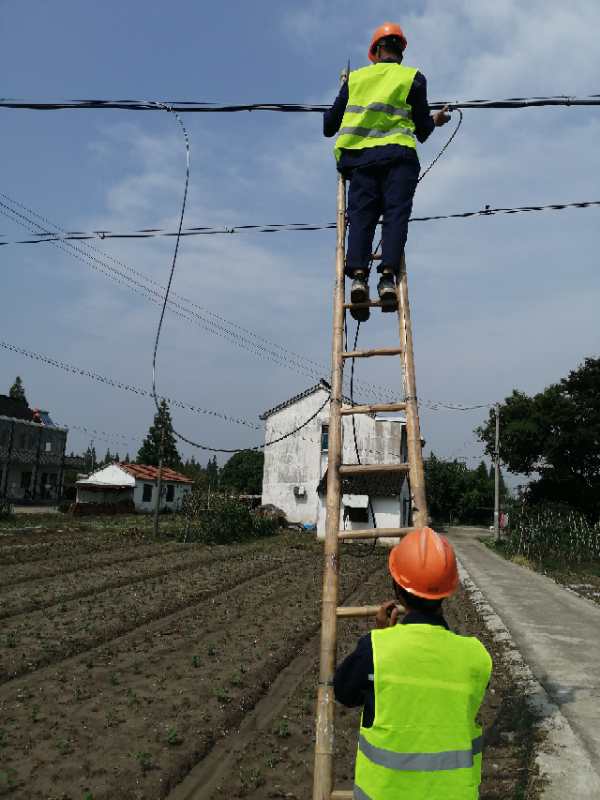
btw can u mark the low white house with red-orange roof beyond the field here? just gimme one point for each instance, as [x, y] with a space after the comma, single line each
[118, 484]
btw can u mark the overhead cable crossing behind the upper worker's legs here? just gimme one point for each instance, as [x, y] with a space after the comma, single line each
[487, 211]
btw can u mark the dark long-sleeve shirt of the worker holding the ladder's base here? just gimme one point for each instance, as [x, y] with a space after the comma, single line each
[353, 680]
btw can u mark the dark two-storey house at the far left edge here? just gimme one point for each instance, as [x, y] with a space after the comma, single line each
[32, 451]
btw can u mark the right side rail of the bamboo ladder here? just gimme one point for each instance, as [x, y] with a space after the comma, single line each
[413, 428]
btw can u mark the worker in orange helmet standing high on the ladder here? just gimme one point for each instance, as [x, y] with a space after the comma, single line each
[380, 113]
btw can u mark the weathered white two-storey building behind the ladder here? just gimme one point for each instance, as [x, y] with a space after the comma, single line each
[295, 467]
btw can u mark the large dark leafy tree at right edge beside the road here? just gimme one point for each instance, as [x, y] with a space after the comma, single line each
[554, 436]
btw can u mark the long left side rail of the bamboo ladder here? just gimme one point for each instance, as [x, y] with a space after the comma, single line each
[323, 771]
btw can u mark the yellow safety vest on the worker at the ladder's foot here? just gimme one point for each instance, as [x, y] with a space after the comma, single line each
[424, 743]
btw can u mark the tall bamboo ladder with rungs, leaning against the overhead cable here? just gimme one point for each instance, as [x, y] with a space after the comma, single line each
[331, 612]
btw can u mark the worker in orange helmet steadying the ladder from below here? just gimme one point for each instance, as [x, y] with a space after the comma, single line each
[420, 685]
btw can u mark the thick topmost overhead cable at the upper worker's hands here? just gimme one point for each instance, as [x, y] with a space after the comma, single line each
[202, 107]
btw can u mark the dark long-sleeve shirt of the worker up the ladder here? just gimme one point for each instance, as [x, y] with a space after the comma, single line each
[421, 114]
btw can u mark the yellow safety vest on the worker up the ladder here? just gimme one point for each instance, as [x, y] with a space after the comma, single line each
[377, 112]
